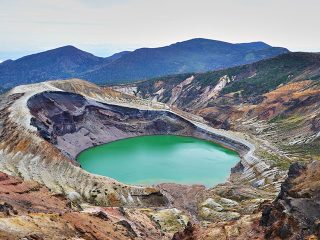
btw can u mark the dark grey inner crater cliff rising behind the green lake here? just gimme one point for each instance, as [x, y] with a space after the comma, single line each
[73, 123]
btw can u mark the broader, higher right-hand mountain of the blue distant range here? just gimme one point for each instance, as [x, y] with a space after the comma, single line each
[181, 57]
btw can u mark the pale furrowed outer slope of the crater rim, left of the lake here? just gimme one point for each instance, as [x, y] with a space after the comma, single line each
[24, 153]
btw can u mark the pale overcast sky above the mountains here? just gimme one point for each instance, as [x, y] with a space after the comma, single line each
[103, 27]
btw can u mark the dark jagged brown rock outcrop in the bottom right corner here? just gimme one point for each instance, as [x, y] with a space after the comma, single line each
[295, 212]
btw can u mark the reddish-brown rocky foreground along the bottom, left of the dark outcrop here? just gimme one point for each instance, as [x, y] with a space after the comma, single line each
[29, 210]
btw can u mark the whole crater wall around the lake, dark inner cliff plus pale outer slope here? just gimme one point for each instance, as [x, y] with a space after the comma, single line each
[43, 129]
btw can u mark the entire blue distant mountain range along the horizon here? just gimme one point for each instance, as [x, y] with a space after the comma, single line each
[196, 55]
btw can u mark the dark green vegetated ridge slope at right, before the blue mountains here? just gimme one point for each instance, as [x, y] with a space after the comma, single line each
[257, 78]
